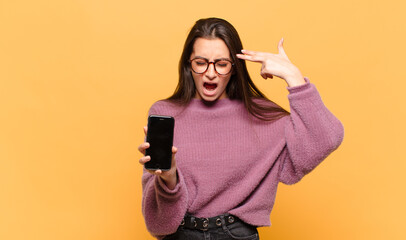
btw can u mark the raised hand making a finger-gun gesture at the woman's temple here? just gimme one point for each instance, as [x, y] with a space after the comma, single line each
[275, 65]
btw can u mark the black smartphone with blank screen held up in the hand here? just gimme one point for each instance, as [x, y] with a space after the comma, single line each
[160, 138]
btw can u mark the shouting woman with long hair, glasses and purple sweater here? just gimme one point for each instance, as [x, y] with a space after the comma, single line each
[233, 145]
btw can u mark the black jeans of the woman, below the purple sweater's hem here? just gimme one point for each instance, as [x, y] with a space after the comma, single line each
[236, 230]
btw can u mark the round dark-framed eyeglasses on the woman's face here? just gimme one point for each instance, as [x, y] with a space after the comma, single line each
[221, 66]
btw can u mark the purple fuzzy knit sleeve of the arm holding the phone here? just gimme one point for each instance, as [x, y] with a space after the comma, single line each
[163, 208]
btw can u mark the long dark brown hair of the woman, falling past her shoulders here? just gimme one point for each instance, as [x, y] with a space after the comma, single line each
[240, 85]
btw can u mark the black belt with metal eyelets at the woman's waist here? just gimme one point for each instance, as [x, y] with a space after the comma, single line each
[207, 223]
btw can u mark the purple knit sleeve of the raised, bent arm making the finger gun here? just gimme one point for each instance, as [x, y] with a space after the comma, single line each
[311, 133]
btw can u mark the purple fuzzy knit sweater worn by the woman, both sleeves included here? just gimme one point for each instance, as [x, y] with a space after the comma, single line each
[230, 162]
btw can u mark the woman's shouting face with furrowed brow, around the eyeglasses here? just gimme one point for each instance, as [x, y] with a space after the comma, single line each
[210, 85]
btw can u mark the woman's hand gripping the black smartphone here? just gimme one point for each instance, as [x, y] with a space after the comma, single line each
[169, 177]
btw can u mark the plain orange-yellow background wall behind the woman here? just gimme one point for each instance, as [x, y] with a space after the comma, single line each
[77, 79]
